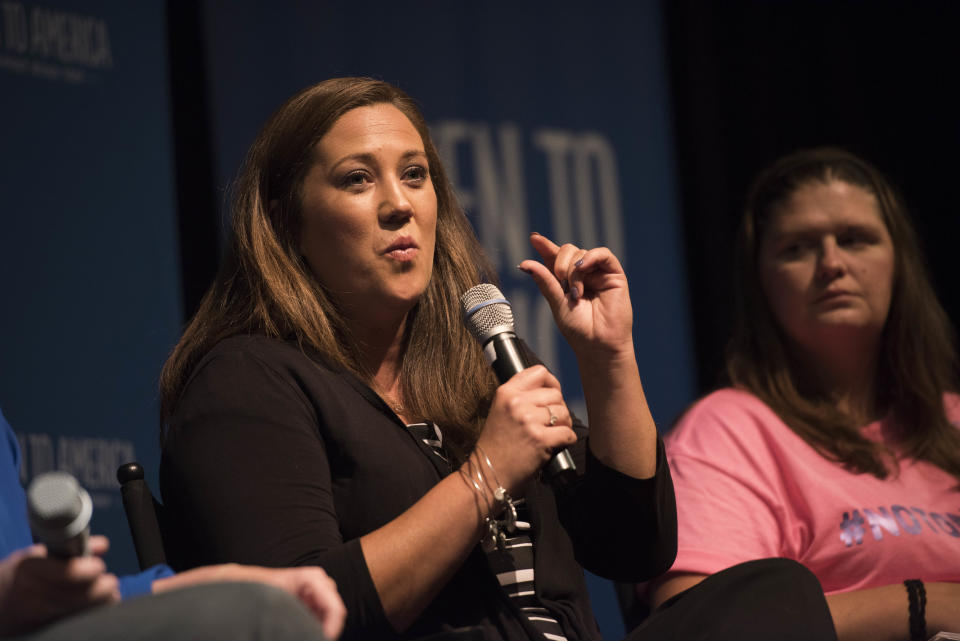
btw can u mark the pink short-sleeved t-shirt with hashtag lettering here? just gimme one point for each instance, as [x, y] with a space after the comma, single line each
[748, 487]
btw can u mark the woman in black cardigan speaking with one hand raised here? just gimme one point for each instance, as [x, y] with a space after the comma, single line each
[327, 406]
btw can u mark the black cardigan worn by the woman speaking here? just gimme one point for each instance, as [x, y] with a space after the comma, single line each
[272, 458]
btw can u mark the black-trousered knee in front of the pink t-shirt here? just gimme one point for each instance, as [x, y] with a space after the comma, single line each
[758, 600]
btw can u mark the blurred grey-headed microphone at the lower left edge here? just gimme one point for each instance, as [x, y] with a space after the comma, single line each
[59, 511]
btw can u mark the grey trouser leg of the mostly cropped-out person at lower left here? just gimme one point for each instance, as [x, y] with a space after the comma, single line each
[211, 612]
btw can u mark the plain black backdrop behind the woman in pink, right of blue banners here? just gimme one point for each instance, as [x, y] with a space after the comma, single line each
[755, 80]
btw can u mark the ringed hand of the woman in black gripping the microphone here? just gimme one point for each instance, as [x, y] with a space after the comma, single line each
[518, 436]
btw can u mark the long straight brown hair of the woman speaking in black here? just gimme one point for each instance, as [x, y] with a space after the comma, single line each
[264, 285]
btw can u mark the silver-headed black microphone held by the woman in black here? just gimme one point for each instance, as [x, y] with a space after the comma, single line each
[489, 317]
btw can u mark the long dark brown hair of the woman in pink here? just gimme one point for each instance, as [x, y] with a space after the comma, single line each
[917, 363]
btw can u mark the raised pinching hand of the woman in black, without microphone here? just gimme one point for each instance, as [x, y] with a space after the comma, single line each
[588, 294]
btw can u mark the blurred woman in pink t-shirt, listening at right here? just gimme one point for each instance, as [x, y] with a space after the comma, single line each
[837, 444]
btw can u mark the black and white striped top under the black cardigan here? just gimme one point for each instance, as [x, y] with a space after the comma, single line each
[513, 567]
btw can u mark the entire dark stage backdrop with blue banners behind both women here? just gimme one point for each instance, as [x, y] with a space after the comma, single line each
[637, 126]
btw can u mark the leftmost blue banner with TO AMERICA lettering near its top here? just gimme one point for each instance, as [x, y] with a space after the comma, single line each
[88, 253]
